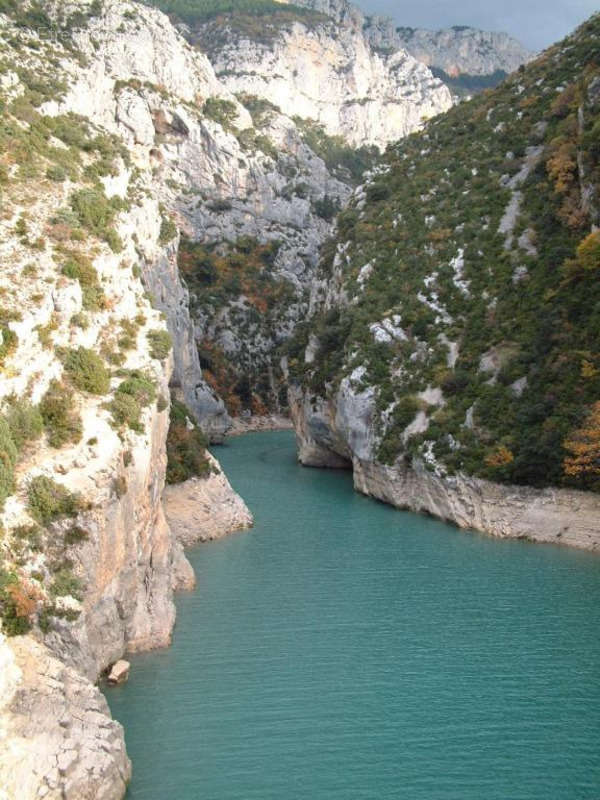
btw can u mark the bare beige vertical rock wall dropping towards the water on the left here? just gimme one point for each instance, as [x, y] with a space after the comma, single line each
[127, 563]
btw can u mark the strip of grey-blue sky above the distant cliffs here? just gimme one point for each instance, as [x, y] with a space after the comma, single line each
[536, 23]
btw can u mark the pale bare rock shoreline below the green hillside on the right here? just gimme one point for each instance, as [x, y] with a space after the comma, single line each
[339, 435]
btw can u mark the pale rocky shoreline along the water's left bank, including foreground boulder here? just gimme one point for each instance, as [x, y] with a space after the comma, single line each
[57, 737]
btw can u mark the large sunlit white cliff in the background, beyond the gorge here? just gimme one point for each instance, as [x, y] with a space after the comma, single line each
[326, 70]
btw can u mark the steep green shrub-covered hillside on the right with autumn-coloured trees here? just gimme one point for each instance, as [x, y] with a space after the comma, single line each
[483, 262]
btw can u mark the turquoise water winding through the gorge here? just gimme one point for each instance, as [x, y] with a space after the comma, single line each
[342, 650]
